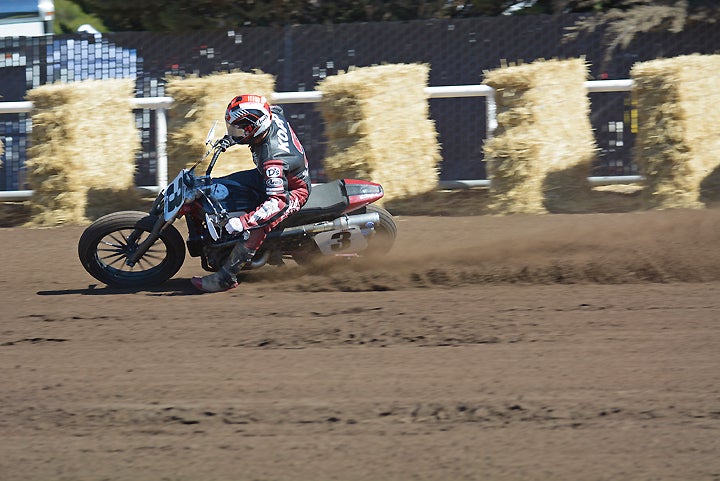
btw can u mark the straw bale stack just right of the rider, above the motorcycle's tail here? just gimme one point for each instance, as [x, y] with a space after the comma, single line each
[378, 128]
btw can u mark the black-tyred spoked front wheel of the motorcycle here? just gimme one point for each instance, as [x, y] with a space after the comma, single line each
[105, 245]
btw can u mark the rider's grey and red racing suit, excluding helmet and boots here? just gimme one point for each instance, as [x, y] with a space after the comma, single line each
[282, 173]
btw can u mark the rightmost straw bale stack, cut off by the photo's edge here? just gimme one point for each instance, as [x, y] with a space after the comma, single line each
[678, 142]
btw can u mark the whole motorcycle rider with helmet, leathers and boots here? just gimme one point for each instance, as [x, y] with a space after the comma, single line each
[281, 178]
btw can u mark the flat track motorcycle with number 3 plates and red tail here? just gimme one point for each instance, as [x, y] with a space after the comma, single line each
[132, 249]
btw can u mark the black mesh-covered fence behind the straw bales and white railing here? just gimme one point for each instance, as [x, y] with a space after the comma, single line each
[458, 52]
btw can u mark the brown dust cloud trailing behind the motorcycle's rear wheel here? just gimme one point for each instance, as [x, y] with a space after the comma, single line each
[638, 247]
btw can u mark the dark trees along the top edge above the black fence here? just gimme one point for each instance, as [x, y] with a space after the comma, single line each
[621, 19]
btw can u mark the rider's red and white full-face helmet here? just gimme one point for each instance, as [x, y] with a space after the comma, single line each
[247, 117]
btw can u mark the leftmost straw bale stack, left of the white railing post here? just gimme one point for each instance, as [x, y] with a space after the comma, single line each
[84, 144]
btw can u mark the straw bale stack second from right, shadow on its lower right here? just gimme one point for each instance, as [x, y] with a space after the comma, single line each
[542, 151]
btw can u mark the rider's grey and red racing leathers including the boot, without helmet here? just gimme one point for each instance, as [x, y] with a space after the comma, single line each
[282, 179]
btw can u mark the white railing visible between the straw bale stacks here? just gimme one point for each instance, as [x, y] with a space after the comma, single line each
[161, 104]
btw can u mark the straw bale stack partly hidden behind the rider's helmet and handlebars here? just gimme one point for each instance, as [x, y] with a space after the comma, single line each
[200, 101]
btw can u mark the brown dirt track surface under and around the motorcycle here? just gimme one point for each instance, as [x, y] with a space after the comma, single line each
[558, 347]
